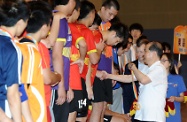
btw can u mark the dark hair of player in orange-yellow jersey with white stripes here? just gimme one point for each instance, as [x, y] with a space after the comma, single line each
[39, 15]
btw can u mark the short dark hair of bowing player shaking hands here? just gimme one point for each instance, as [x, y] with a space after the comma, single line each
[120, 29]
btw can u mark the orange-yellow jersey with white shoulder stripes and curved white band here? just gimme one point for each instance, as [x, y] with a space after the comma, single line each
[32, 79]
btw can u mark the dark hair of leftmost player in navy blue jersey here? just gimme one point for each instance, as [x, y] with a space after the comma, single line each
[12, 12]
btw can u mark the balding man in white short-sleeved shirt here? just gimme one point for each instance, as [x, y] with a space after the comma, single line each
[153, 86]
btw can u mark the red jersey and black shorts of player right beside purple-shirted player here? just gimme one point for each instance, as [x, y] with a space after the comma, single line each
[75, 78]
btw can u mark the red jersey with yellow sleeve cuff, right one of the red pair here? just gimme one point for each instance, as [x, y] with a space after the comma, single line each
[91, 48]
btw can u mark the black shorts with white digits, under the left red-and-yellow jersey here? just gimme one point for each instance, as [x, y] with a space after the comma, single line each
[75, 104]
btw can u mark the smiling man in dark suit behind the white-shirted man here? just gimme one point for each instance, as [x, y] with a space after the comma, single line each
[131, 90]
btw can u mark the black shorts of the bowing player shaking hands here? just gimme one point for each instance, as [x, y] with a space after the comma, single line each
[102, 90]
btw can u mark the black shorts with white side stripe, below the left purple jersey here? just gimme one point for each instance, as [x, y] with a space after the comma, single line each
[61, 112]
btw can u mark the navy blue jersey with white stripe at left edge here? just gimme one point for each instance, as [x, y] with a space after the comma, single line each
[10, 63]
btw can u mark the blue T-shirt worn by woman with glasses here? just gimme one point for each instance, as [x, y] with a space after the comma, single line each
[176, 86]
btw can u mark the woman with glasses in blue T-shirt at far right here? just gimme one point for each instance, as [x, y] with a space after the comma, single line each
[176, 88]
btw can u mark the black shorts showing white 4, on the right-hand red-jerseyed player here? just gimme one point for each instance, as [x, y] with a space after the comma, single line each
[85, 102]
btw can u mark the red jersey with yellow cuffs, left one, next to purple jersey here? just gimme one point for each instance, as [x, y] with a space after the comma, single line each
[75, 77]
